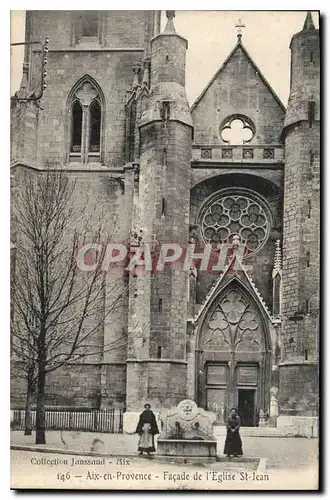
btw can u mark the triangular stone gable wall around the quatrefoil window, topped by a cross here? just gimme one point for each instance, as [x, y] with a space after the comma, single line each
[227, 96]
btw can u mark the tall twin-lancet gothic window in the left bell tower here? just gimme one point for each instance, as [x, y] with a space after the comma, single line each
[86, 105]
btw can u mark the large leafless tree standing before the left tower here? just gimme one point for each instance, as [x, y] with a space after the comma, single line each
[58, 310]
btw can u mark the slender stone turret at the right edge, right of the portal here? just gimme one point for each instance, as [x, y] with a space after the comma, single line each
[301, 244]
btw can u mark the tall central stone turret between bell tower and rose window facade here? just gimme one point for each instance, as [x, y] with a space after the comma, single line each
[158, 359]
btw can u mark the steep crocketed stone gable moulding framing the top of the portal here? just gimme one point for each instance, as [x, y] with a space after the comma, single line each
[217, 286]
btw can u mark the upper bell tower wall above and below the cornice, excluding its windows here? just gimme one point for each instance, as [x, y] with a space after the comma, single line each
[109, 62]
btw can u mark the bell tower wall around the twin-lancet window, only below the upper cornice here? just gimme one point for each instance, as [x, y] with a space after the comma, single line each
[113, 72]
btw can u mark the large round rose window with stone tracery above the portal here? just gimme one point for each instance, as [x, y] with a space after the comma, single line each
[232, 215]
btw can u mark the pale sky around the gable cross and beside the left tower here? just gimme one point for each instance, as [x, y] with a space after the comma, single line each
[211, 36]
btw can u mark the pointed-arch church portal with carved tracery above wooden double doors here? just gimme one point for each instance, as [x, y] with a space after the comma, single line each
[233, 356]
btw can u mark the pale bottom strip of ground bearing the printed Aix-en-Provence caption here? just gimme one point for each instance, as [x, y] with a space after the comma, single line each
[51, 470]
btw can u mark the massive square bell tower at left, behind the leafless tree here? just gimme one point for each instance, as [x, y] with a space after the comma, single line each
[79, 126]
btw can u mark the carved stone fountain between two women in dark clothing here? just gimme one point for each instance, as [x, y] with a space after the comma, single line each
[187, 432]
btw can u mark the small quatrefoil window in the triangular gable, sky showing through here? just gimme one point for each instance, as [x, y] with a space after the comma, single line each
[237, 130]
